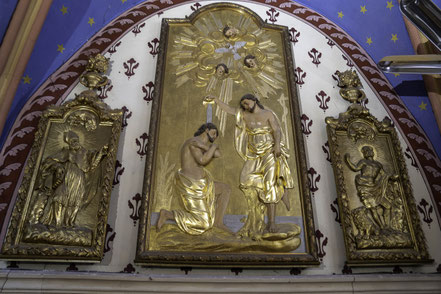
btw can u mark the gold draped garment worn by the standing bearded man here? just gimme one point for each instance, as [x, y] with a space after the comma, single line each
[269, 175]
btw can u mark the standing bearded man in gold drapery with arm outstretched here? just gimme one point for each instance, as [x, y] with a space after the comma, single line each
[265, 176]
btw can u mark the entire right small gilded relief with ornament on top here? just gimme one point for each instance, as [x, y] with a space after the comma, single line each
[381, 225]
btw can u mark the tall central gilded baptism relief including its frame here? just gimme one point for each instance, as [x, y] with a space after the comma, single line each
[225, 180]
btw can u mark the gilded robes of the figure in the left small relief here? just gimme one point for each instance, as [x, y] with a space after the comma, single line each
[77, 178]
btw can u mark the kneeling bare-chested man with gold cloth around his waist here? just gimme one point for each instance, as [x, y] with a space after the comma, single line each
[204, 200]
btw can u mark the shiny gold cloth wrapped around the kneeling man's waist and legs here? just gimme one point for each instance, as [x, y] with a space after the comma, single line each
[198, 199]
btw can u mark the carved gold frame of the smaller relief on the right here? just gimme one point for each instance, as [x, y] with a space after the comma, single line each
[341, 129]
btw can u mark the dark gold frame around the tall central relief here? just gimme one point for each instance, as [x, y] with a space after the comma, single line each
[148, 257]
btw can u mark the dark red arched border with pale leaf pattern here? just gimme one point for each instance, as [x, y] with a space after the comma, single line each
[19, 141]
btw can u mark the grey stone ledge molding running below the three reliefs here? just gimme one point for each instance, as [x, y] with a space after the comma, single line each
[21, 281]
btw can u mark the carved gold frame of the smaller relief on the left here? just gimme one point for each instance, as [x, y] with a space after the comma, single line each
[14, 246]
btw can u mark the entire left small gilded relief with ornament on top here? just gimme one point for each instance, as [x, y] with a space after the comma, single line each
[63, 201]
